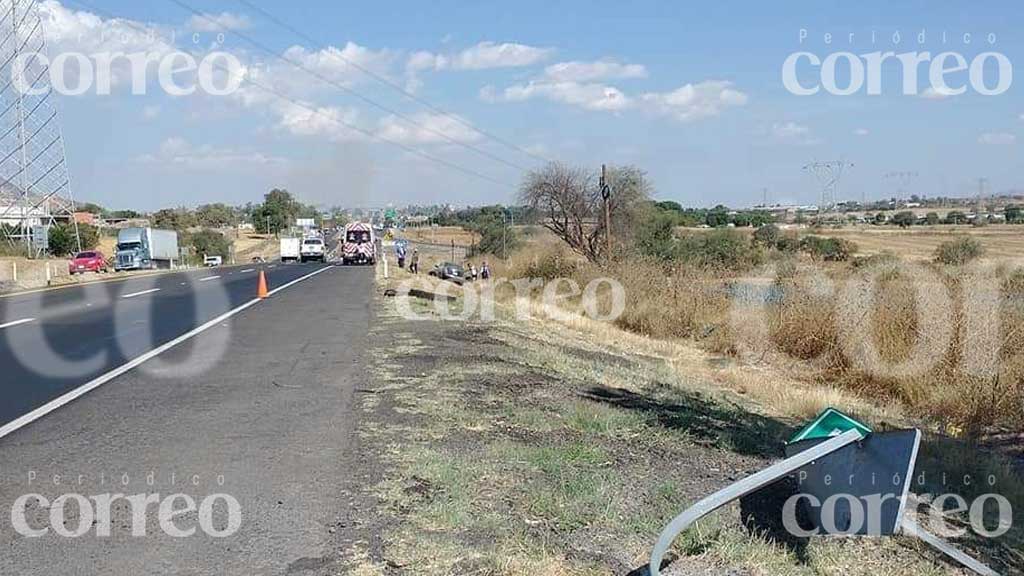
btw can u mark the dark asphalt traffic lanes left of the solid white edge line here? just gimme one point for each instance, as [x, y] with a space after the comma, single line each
[54, 342]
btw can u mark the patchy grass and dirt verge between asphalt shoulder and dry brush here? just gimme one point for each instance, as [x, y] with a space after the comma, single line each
[521, 448]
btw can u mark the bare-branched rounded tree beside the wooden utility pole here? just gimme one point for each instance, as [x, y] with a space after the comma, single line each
[569, 201]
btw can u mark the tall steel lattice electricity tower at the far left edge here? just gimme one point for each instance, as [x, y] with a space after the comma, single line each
[35, 184]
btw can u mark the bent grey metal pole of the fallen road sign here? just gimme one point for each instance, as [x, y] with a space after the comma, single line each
[778, 472]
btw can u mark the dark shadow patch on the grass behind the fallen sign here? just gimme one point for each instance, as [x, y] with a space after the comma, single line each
[729, 428]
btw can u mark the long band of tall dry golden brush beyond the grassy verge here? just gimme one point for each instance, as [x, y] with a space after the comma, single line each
[820, 318]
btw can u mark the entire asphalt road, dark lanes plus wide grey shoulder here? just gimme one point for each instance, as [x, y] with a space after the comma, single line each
[249, 420]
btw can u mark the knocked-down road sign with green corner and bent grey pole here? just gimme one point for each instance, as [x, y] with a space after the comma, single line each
[834, 446]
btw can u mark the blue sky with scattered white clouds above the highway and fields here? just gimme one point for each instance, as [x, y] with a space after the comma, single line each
[692, 93]
